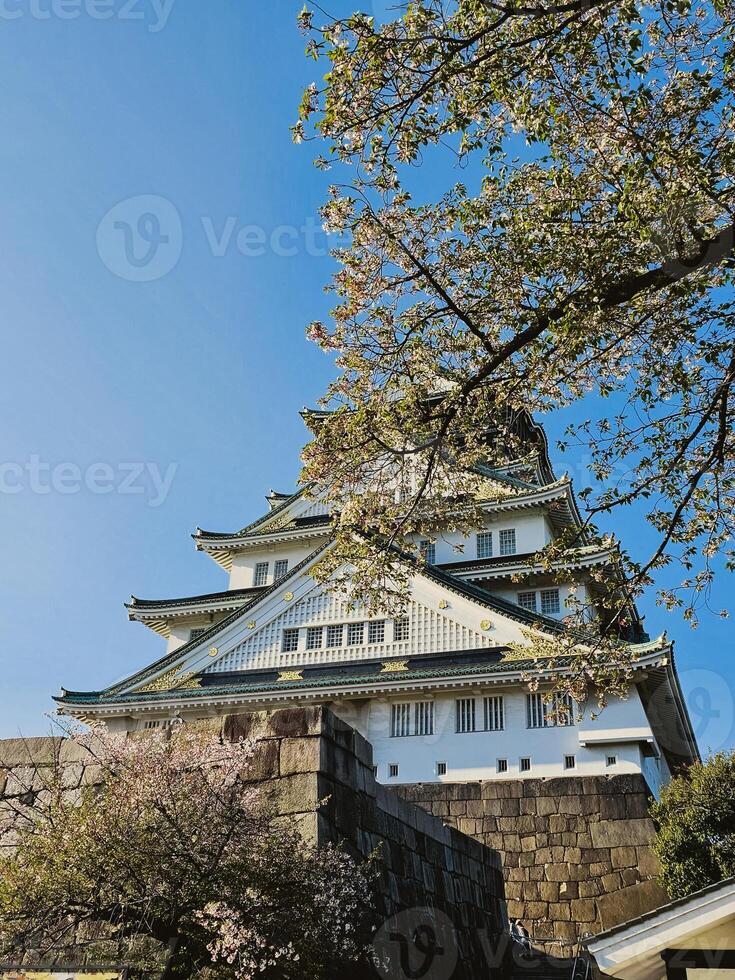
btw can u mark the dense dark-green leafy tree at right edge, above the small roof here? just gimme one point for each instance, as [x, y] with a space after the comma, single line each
[696, 826]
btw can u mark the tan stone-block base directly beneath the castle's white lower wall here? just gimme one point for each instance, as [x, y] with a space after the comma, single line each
[575, 851]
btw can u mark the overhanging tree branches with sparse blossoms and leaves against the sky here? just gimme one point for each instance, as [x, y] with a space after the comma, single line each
[587, 251]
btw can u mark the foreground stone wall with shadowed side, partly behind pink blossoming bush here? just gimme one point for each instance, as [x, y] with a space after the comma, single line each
[305, 756]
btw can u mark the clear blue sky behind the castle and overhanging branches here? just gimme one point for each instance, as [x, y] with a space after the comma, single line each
[140, 398]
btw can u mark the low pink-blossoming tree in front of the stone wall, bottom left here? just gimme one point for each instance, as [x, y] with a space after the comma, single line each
[174, 859]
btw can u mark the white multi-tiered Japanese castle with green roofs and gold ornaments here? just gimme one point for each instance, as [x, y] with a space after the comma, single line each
[437, 690]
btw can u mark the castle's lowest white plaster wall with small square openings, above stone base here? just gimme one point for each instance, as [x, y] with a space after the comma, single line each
[472, 756]
